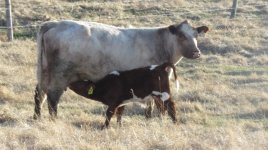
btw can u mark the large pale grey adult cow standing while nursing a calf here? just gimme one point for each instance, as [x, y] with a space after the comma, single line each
[74, 50]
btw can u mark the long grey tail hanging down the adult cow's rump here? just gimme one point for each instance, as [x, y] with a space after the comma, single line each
[42, 62]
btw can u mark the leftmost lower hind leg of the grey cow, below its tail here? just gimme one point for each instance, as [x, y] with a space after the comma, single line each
[39, 98]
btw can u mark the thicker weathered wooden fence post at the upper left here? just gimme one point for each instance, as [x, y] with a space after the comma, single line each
[9, 20]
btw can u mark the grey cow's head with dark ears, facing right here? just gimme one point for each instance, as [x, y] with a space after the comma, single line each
[186, 36]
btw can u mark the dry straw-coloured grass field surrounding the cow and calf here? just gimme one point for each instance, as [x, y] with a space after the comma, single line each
[222, 103]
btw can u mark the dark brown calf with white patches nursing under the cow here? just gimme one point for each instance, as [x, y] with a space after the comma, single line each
[118, 88]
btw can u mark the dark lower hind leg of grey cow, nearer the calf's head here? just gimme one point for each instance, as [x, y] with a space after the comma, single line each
[53, 97]
